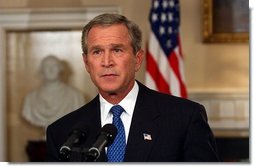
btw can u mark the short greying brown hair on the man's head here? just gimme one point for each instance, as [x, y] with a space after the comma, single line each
[111, 19]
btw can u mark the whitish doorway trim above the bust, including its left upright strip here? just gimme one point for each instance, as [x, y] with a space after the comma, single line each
[29, 19]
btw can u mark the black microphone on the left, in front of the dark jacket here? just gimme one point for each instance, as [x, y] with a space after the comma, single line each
[78, 134]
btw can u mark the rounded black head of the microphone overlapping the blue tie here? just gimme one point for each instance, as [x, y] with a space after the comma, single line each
[110, 131]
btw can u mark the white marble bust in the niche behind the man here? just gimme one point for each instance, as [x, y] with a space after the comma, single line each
[53, 98]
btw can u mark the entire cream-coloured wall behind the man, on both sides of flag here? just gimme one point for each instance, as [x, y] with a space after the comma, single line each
[208, 67]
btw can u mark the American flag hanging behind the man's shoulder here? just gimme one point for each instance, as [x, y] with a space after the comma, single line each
[164, 68]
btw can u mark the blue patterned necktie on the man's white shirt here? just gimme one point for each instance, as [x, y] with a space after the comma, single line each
[116, 150]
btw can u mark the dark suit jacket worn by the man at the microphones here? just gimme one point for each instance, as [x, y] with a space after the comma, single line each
[178, 128]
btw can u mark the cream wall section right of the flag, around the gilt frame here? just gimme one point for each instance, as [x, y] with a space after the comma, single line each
[211, 67]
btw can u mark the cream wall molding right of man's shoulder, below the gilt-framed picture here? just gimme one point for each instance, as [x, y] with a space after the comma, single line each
[228, 112]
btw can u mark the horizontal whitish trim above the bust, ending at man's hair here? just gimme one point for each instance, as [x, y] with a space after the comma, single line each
[50, 18]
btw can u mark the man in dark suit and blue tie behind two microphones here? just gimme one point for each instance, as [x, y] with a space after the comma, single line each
[157, 127]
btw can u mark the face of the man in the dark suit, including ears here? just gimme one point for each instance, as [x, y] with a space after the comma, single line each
[110, 60]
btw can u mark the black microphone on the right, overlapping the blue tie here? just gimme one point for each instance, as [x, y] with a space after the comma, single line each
[104, 139]
